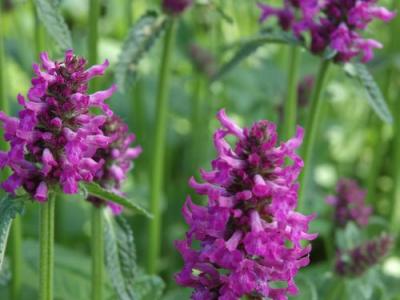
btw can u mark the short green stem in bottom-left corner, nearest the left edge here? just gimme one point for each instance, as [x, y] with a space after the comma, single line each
[16, 258]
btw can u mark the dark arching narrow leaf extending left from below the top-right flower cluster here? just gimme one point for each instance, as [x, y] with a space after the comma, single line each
[251, 45]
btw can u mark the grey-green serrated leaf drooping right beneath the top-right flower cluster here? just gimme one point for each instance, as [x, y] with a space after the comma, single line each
[375, 96]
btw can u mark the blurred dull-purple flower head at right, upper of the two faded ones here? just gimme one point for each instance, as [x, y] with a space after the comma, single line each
[349, 203]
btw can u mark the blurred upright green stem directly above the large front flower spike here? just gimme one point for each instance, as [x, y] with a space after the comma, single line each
[290, 109]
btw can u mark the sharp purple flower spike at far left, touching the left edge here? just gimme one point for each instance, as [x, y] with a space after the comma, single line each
[55, 136]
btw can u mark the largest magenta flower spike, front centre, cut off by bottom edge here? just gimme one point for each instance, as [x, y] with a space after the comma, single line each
[249, 233]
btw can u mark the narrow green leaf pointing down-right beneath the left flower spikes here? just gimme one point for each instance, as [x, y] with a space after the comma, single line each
[95, 190]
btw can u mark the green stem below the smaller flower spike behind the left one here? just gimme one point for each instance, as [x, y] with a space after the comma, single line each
[97, 253]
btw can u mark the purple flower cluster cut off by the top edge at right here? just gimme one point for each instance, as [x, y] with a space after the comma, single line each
[332, 24]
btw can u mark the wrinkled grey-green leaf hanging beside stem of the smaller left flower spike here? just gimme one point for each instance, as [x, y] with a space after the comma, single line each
[120, 256]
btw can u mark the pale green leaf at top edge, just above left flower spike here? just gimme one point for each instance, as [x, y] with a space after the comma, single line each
[54, 23]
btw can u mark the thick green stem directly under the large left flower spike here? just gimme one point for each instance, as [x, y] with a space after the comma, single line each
[46, 237]
